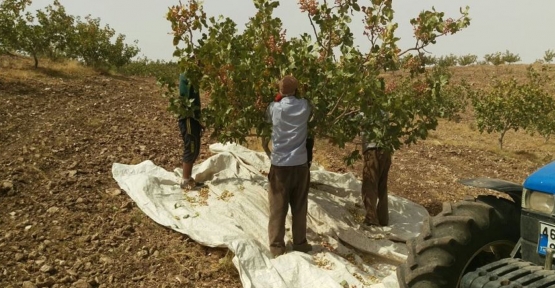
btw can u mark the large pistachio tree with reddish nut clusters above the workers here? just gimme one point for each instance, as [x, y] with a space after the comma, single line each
[239, 70]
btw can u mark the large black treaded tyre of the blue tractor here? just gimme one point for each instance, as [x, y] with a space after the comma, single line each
[464, 236]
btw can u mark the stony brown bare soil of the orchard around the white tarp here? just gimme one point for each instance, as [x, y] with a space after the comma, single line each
[64, 222]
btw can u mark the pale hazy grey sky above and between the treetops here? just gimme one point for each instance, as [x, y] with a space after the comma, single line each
[526, 28]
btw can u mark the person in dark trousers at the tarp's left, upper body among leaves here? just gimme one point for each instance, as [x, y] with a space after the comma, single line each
[191, 131]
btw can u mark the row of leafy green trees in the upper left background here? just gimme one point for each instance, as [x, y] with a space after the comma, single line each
[52, 33]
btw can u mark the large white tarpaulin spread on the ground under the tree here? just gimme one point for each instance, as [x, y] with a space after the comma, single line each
[232, 211]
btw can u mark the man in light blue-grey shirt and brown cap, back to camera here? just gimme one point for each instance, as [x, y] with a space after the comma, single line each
[289, 174]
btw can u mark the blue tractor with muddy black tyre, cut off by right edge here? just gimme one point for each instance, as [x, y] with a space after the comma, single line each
[488, 241]
